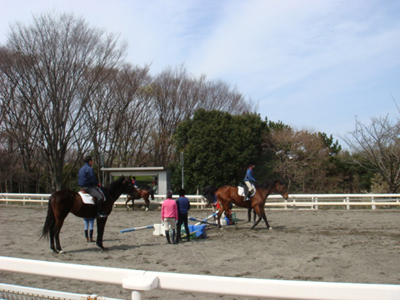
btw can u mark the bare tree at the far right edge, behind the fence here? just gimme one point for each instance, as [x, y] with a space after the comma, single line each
[378, 144]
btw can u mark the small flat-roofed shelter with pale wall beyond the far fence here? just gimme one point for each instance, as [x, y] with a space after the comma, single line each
[162, 174]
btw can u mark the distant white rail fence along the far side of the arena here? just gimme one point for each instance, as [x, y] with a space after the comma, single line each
[298, 201]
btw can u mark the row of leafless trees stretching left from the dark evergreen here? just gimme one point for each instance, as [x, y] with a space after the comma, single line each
[66, 91]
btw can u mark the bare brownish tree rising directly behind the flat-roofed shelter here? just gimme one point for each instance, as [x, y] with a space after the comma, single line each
[121, 116]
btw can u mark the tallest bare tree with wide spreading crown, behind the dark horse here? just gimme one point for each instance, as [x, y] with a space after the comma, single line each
[52, 68]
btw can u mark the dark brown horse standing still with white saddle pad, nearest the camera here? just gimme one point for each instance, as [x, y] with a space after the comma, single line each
[61, 203]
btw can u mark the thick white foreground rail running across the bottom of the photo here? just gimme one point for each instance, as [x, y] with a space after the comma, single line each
[139, 281]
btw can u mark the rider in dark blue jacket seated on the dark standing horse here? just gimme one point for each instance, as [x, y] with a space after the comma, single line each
[88, 182]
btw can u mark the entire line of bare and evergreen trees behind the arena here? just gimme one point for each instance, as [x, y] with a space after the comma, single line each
[67, 91]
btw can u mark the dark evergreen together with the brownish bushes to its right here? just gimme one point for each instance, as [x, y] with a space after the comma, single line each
[218, 147]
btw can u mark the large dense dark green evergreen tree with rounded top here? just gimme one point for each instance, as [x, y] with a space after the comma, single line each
[218, 147]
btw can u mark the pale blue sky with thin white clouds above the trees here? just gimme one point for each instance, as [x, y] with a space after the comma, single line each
[316, 65]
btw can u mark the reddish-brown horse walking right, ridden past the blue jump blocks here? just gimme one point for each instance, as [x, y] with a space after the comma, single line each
[229, 194]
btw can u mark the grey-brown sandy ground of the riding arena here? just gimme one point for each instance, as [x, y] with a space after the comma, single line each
[327, 245]
